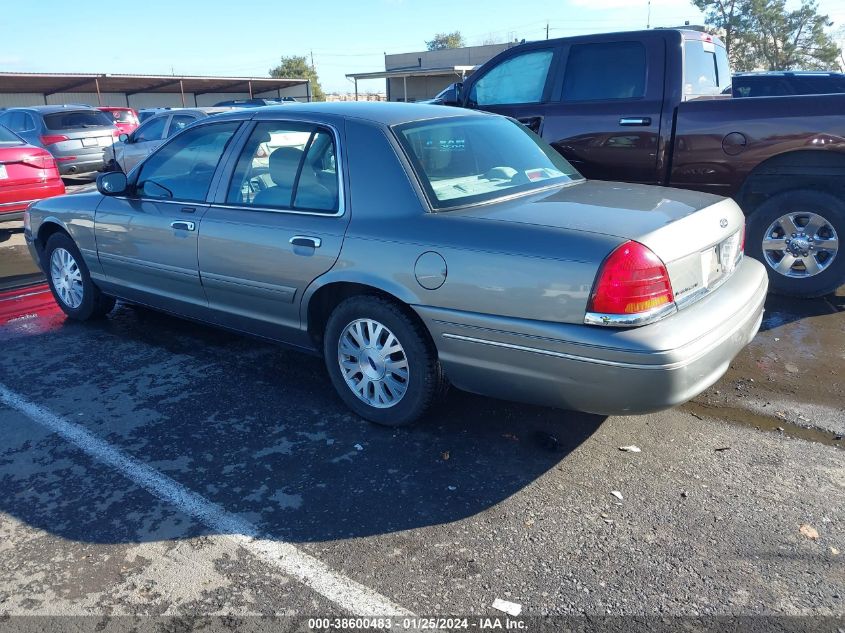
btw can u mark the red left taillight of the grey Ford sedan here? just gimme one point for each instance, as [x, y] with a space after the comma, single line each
[632, 286]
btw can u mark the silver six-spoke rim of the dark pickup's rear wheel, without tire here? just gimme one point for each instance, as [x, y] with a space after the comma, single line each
[800, 244]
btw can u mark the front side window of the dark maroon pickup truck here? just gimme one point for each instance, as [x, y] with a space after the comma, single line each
[519, 79]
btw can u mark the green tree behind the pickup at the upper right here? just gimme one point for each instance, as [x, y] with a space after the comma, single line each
[764, 34]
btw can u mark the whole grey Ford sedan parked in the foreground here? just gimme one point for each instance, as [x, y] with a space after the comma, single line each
[415, 245]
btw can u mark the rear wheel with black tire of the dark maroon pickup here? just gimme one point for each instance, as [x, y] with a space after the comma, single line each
[797, 235]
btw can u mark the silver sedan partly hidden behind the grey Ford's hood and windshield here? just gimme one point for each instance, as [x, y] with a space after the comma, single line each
[132, 148]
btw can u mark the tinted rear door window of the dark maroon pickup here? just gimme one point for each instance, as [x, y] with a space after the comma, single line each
[598, 72]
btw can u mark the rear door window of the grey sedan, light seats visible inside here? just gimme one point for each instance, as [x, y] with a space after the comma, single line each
[287, 165]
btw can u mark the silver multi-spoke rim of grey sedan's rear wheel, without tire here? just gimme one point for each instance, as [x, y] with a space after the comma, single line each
[373, 363]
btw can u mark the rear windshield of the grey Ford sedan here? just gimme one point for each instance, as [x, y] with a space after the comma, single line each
[468, 160]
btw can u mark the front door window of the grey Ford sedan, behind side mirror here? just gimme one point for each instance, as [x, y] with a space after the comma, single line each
[183, 169]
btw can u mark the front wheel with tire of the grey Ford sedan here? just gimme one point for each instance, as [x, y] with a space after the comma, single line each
[70, 281]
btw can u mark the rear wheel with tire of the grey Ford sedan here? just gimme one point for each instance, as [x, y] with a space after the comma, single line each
[381, 361]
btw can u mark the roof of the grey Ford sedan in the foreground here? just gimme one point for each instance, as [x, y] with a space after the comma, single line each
[383, 112]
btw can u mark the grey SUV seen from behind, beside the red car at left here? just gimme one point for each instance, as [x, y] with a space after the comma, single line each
[76, 135]
